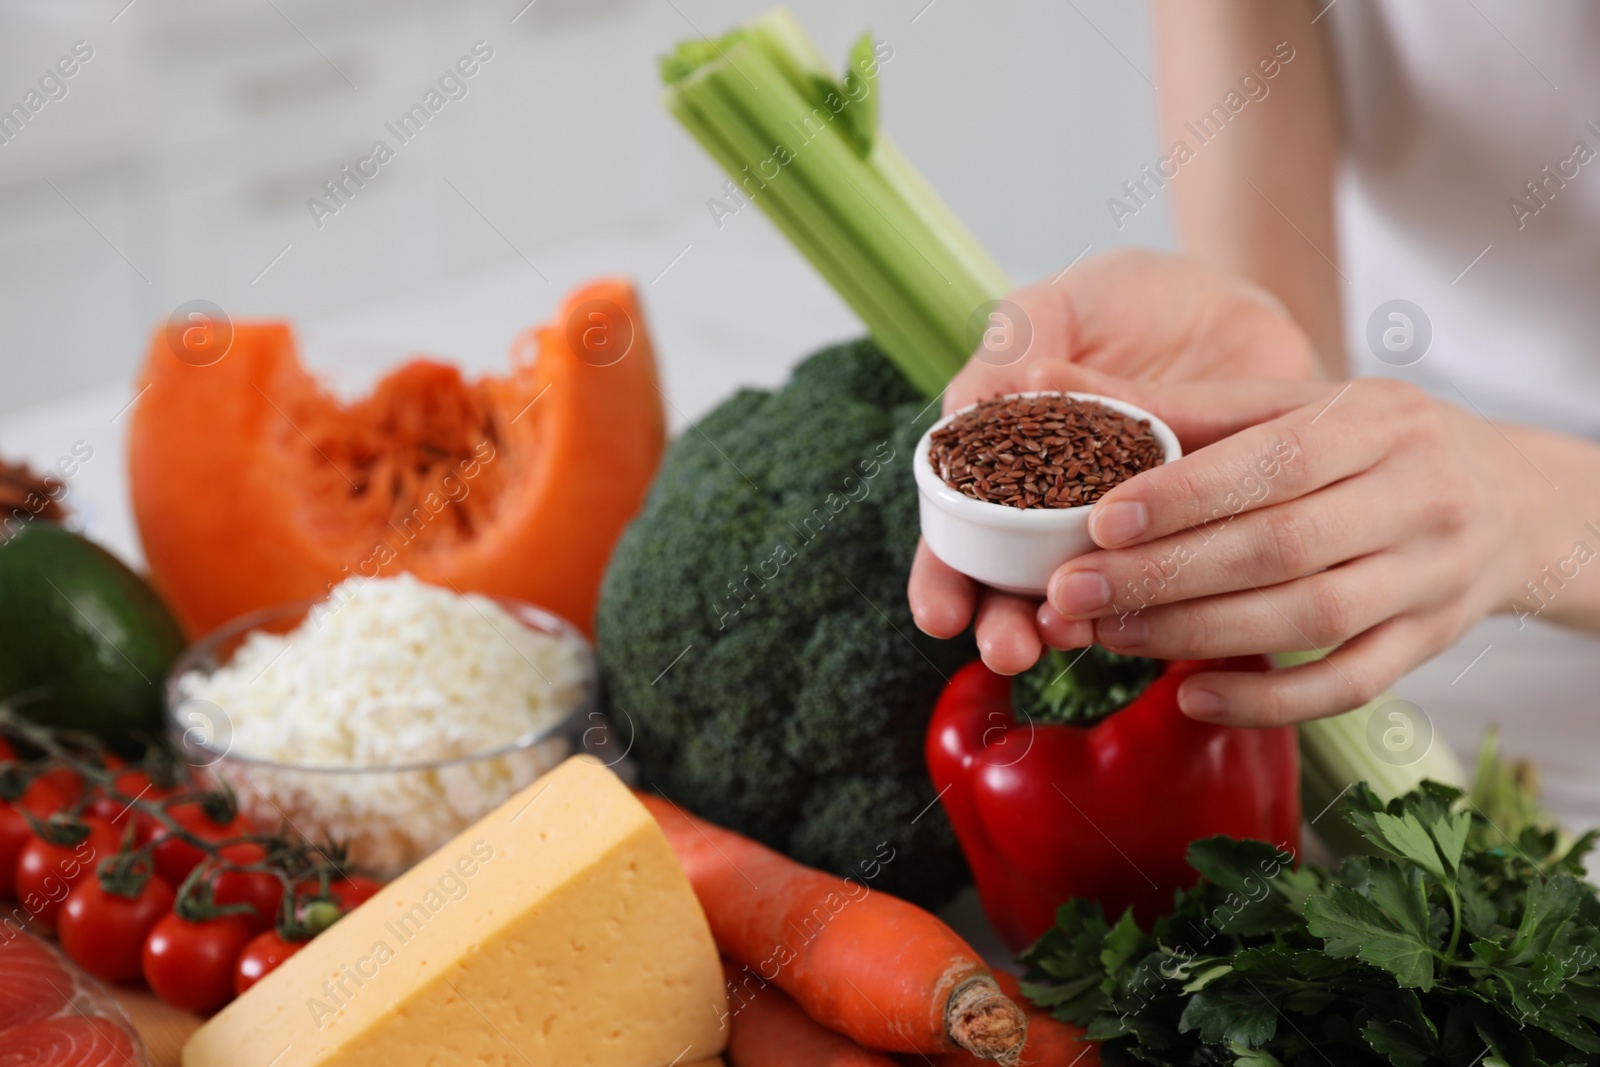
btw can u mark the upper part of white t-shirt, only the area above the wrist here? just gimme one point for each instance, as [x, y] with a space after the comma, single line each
[1450, 113]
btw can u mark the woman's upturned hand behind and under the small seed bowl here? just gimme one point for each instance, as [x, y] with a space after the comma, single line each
[1130, 313]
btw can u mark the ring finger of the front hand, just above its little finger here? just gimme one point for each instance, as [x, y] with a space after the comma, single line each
[1313, 612]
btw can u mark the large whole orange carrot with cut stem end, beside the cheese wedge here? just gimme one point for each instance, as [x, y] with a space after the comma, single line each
[868, 965]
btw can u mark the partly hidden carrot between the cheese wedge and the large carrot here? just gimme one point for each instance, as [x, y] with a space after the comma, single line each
[767, 1029]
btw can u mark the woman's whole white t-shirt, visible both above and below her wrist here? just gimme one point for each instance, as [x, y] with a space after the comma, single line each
[1450, 113]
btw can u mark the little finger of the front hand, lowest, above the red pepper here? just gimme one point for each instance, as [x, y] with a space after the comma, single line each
[1346, 679]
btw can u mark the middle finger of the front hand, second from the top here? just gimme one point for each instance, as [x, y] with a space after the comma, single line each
[1252, 551]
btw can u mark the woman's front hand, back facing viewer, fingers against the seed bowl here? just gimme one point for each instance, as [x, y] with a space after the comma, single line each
[1366, 516]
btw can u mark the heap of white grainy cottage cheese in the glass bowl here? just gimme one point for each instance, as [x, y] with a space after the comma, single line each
[388, 673]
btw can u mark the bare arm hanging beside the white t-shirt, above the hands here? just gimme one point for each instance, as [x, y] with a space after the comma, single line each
[1255, 198]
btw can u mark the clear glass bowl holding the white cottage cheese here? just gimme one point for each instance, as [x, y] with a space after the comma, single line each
[386, 817]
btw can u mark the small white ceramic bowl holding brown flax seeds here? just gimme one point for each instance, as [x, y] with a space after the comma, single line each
[1014, 549]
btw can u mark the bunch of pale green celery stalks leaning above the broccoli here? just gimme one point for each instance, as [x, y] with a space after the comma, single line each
[841, 191]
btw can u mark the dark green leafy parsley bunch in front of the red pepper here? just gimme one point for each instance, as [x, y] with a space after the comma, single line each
[1450, 946]
